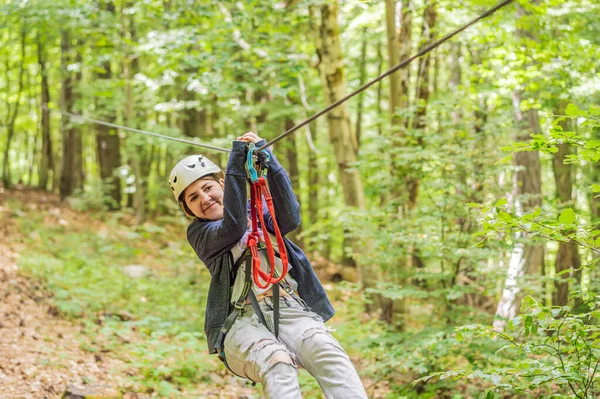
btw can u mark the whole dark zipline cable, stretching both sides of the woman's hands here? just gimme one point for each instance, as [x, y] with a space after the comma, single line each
[401, 65]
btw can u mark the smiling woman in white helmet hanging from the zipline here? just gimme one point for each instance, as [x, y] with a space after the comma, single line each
[266, 334]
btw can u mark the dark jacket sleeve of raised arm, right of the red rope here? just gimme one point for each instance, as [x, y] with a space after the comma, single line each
[287, 208]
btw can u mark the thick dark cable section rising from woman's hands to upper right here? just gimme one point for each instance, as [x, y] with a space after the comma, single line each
[394, 69]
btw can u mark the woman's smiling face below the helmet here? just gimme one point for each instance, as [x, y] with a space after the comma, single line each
[204, 198]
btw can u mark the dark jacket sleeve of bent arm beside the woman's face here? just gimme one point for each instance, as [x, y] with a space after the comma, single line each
[211, 238]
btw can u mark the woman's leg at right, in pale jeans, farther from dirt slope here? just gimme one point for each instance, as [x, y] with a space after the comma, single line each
[305, 334]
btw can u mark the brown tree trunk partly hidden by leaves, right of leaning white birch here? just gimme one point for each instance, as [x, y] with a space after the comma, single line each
[568, 253]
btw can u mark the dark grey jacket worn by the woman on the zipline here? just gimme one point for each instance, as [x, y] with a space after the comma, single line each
[213, 239]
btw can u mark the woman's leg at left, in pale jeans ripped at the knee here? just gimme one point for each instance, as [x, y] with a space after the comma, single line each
[253, 352]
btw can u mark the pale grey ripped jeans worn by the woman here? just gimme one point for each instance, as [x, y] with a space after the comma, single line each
[253, 352]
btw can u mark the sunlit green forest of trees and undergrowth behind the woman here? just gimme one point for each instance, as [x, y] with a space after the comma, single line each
[451, 210]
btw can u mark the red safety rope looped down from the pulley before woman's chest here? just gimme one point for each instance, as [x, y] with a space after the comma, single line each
[258, 190]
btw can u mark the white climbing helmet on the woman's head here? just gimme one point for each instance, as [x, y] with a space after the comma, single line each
[190, 169]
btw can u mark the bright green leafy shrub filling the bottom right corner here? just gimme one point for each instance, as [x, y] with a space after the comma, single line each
[548, 350]
